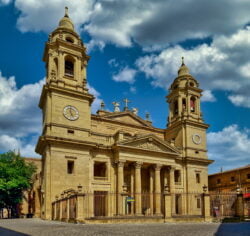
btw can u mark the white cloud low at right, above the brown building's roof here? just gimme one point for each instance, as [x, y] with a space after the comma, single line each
[229, 147]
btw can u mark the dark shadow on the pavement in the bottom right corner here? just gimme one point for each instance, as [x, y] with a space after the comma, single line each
[233, 229]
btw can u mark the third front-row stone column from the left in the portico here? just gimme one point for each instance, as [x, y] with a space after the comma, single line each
[157, 189]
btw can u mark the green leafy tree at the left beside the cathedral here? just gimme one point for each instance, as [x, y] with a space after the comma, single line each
[15, 177]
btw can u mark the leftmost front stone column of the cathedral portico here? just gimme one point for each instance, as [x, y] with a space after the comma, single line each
[120, 180]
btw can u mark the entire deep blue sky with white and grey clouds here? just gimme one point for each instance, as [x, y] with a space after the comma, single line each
[136, 48]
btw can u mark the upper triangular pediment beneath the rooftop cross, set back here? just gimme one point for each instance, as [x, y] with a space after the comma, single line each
[128, 118]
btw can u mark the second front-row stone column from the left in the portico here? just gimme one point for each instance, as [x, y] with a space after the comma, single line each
[138, 210]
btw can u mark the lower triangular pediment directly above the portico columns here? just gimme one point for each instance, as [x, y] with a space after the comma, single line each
[149, 143]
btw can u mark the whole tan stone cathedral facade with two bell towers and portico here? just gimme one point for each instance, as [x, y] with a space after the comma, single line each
[120, 163]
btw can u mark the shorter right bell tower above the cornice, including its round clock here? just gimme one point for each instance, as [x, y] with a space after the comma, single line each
[186, 128]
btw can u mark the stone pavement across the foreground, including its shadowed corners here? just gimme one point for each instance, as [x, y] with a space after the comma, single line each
[37, 227]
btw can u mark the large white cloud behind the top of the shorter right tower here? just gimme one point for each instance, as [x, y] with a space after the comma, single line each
[217, 66]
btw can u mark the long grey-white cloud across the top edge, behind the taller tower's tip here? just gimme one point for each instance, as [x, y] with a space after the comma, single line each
[147, 22]
